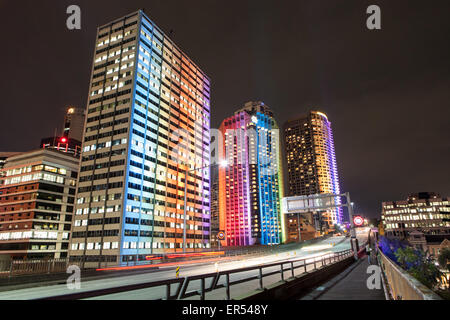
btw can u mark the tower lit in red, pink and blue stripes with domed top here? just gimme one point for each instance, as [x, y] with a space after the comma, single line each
[250, 186]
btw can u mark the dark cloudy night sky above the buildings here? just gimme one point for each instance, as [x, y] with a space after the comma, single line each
[386, 91]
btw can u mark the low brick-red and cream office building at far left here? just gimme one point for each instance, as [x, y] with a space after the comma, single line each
[37, 196]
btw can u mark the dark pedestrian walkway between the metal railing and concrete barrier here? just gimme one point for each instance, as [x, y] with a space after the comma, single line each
[350, 285]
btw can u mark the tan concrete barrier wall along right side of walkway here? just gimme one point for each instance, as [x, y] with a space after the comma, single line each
[403, 286]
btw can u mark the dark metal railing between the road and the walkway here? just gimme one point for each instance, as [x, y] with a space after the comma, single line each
[183, 283]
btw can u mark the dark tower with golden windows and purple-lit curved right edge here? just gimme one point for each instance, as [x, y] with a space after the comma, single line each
[311, 162]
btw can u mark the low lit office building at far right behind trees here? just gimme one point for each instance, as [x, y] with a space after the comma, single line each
[426, 212]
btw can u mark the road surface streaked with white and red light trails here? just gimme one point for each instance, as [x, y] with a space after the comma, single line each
[327, 246]
